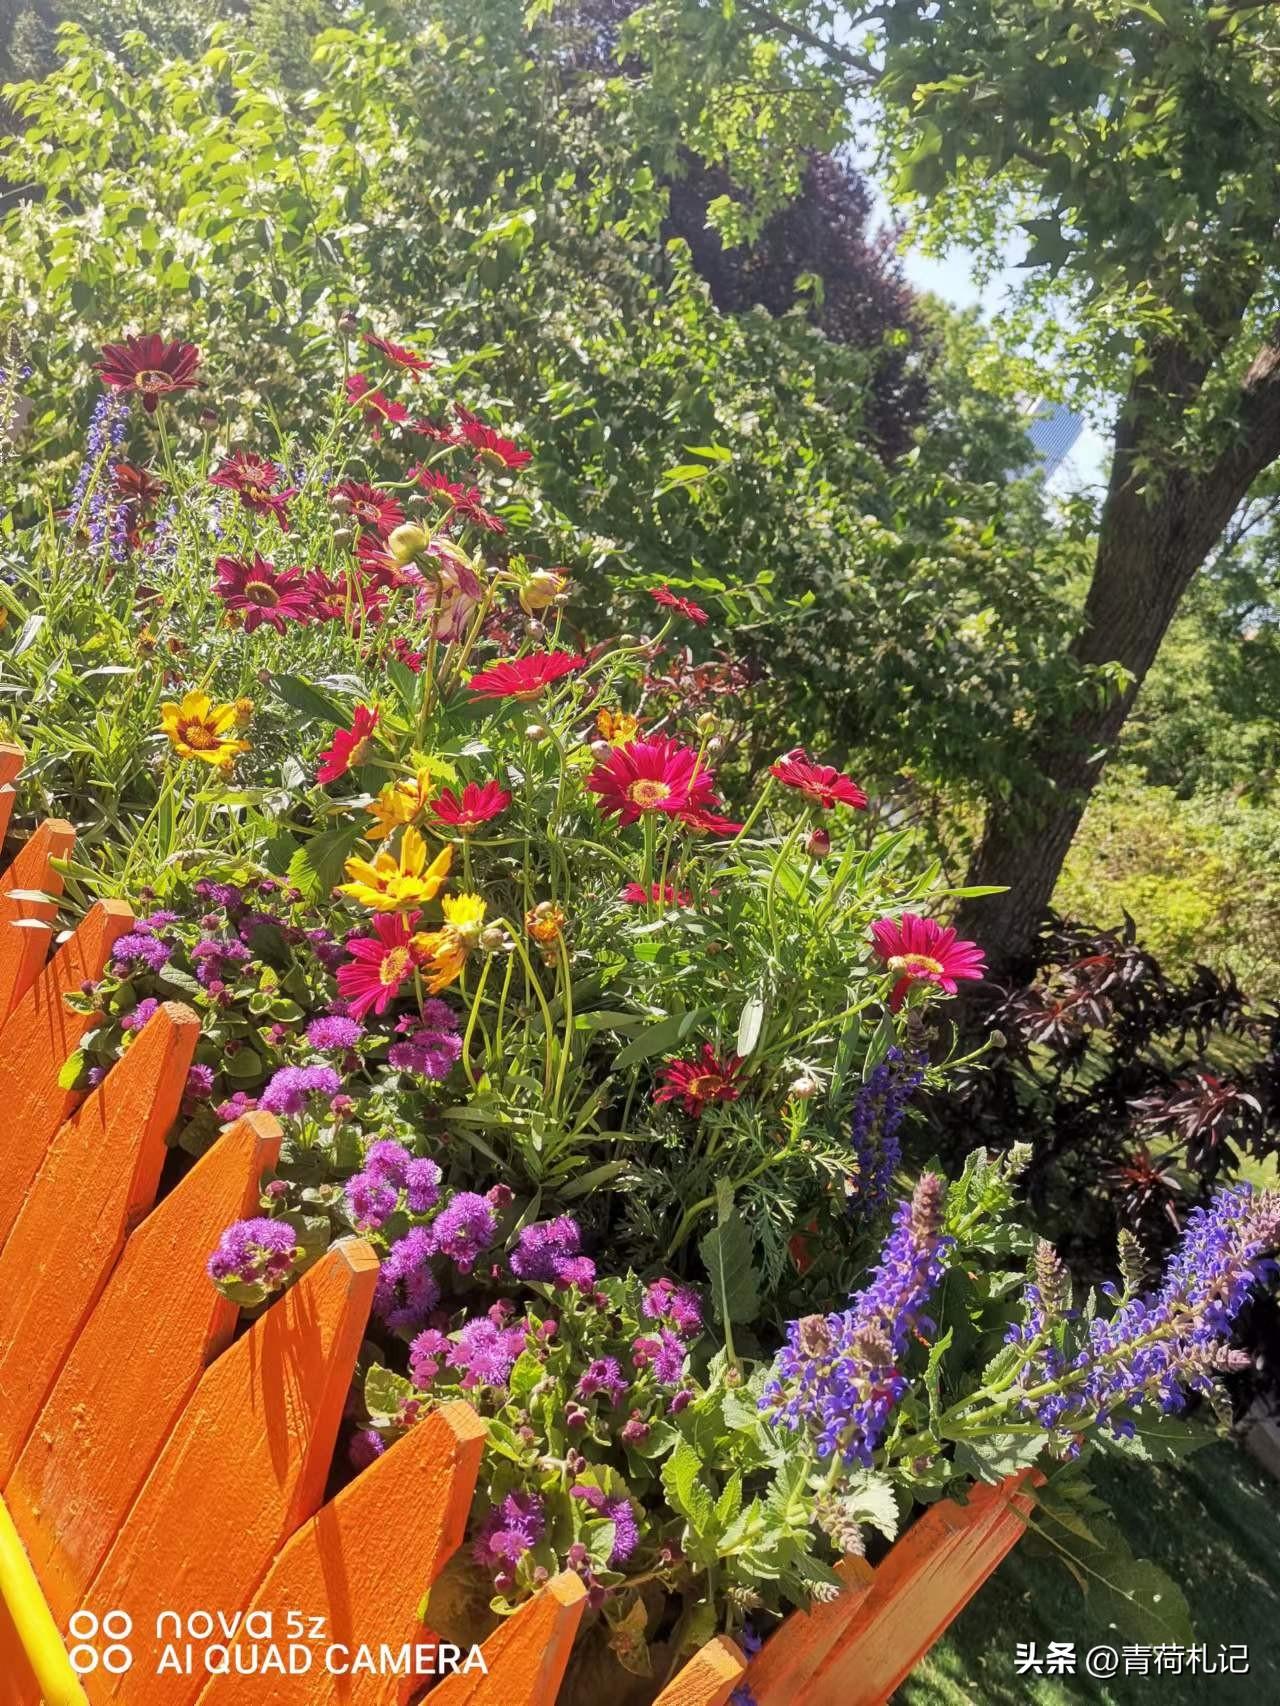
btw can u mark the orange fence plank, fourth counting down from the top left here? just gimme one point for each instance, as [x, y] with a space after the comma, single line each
[96, 1181]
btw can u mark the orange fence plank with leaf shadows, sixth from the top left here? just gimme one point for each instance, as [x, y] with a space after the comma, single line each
[241, 1471]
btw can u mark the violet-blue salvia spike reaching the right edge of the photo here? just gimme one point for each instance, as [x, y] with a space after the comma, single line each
[1168, 1343]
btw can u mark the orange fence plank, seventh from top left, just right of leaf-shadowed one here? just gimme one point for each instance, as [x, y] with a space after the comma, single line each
[364, 1564]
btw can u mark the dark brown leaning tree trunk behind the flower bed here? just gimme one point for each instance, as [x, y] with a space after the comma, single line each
[1149, 548]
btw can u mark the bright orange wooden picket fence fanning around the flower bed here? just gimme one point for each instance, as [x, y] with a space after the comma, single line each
[153, 1461]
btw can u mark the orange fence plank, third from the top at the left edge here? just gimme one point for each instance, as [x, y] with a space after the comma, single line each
[35, 1043]
